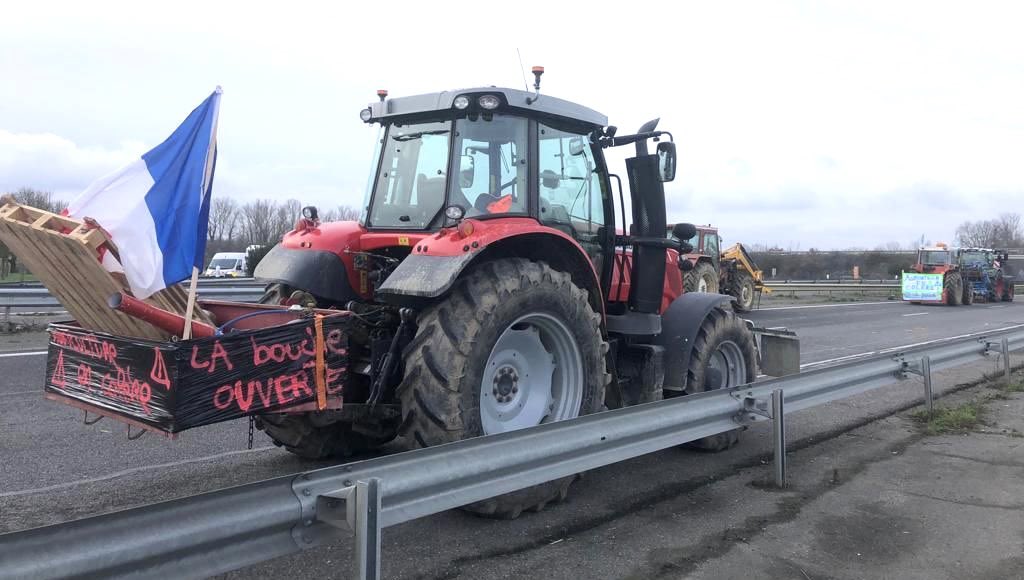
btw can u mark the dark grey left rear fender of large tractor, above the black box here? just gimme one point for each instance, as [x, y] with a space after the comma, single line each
[319, 272]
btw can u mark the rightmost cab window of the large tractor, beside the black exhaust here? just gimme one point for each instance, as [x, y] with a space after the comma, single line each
[571, 190]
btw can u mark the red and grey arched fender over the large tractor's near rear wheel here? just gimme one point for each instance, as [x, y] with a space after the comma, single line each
[438, 262]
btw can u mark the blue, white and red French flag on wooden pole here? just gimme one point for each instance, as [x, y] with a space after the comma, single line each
[157, 210]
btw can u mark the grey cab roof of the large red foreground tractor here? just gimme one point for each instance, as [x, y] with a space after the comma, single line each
[511, 99]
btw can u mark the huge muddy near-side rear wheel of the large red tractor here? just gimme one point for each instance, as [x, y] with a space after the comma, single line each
[515, 345]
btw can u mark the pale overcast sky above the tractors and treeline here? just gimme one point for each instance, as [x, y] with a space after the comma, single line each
[799, 125]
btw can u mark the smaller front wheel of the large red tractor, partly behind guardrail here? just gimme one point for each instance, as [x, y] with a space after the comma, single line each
[724, 356]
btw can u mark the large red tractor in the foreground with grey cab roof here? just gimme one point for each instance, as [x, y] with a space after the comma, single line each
[492, 288]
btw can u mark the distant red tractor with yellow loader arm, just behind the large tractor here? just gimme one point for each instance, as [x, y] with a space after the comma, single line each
[733, 272]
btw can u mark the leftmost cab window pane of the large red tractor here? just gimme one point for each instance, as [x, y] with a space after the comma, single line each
[412, 176]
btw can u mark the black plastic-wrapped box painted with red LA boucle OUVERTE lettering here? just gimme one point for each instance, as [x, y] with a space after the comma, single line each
[174, 387]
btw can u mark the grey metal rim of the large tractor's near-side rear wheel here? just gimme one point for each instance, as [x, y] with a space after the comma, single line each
[534, 376]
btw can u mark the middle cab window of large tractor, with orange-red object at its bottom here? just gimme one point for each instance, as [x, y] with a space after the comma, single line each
[492, 162]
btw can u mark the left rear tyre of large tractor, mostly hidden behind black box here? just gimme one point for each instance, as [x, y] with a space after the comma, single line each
[307, 437]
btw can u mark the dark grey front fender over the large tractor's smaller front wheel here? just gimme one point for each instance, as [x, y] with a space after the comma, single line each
[680, 324]
